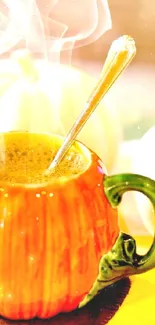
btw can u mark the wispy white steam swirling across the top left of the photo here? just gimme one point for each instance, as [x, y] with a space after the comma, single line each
[48, 26]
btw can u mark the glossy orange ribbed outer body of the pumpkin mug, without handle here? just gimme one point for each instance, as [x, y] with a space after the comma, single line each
[51, 240]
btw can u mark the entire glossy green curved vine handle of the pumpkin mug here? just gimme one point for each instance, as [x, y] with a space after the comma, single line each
[123, 260]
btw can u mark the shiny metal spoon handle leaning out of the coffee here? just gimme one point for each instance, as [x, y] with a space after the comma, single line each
[119, 56]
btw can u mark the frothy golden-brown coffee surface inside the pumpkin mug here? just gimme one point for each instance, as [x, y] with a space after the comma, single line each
[24, 157]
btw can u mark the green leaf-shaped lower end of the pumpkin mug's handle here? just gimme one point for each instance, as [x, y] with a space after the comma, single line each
[114, 265]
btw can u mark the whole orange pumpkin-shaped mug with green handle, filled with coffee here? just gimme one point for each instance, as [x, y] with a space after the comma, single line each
[60, 242]
